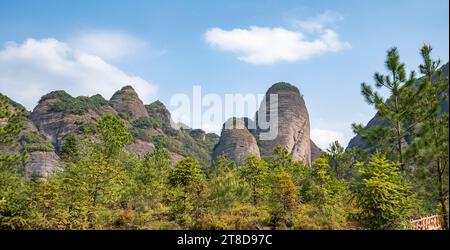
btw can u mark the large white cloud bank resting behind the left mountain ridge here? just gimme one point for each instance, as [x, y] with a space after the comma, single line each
[36, 67]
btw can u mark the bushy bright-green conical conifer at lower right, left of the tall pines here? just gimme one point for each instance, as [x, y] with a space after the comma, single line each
[383, 196]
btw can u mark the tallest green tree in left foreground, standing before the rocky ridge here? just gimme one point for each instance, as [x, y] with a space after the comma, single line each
[96, 182]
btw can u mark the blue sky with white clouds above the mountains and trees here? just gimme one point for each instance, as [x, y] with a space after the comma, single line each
[166, 47]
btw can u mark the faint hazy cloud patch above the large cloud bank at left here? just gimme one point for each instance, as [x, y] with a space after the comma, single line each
[109, 45]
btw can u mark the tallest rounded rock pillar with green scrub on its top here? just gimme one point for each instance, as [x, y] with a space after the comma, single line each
[293, 123]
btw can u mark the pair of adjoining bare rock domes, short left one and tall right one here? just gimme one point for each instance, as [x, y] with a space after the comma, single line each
[292, 129]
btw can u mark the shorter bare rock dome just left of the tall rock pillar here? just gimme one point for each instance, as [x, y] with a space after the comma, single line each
[236, 143]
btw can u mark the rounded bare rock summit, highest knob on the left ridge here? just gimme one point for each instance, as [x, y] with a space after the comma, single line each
[127, 103]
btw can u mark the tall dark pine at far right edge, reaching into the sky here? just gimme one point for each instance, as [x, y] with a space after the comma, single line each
[430, 147]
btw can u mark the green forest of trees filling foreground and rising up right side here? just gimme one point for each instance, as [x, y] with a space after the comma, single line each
[403, 174]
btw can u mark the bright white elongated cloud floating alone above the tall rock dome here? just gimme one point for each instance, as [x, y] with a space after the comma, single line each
[266, 45]
